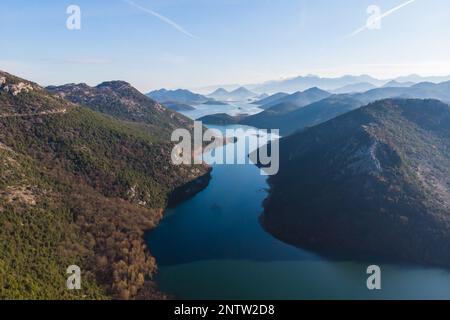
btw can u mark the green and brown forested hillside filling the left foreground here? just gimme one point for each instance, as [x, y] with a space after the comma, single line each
[79, 187]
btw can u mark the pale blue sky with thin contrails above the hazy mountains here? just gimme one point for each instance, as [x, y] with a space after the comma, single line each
[195, 43]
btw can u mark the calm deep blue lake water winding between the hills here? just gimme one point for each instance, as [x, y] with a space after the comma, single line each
[213, 247]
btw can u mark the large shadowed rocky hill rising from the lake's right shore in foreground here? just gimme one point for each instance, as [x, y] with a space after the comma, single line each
[374, 182]
